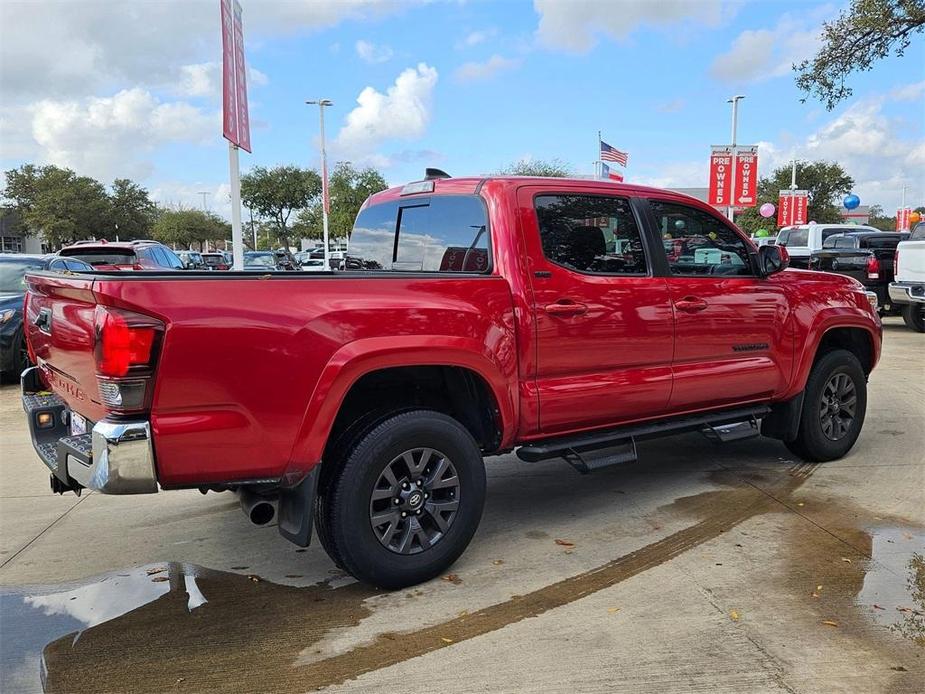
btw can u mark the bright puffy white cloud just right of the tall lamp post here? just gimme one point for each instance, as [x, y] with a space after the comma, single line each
[402, 112]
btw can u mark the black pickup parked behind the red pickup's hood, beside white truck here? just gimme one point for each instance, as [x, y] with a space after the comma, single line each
[867, 256]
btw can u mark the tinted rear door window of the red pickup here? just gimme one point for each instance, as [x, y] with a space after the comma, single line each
[590, 233]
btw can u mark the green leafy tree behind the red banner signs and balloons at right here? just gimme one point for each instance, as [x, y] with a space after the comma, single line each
[827, 183]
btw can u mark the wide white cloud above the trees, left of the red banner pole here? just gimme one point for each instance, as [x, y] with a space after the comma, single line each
[108, 137]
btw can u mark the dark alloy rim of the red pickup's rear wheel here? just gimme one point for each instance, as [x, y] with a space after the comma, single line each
[415, 501]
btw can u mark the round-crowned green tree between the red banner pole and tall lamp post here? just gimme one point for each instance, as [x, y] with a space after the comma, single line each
[274, 194]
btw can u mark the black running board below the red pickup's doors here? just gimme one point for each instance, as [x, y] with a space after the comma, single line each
[583, 444]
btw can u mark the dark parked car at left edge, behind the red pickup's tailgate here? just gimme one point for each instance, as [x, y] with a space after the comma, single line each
[14, 356]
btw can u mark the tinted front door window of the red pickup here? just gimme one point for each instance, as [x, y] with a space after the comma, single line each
[697, 243]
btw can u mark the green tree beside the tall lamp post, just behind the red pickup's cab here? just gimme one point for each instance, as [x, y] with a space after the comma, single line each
[348, 189]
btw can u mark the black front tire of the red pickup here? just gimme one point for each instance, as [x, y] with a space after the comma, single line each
[819, 439]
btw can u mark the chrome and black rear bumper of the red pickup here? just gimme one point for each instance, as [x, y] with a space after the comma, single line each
[112, 458]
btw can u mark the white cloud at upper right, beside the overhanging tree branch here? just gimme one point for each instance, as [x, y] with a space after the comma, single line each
[759, 54]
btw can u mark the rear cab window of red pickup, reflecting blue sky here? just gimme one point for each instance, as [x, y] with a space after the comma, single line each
[446, 233]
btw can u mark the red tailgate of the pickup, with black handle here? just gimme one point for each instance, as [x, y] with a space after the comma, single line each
[59, 324]
